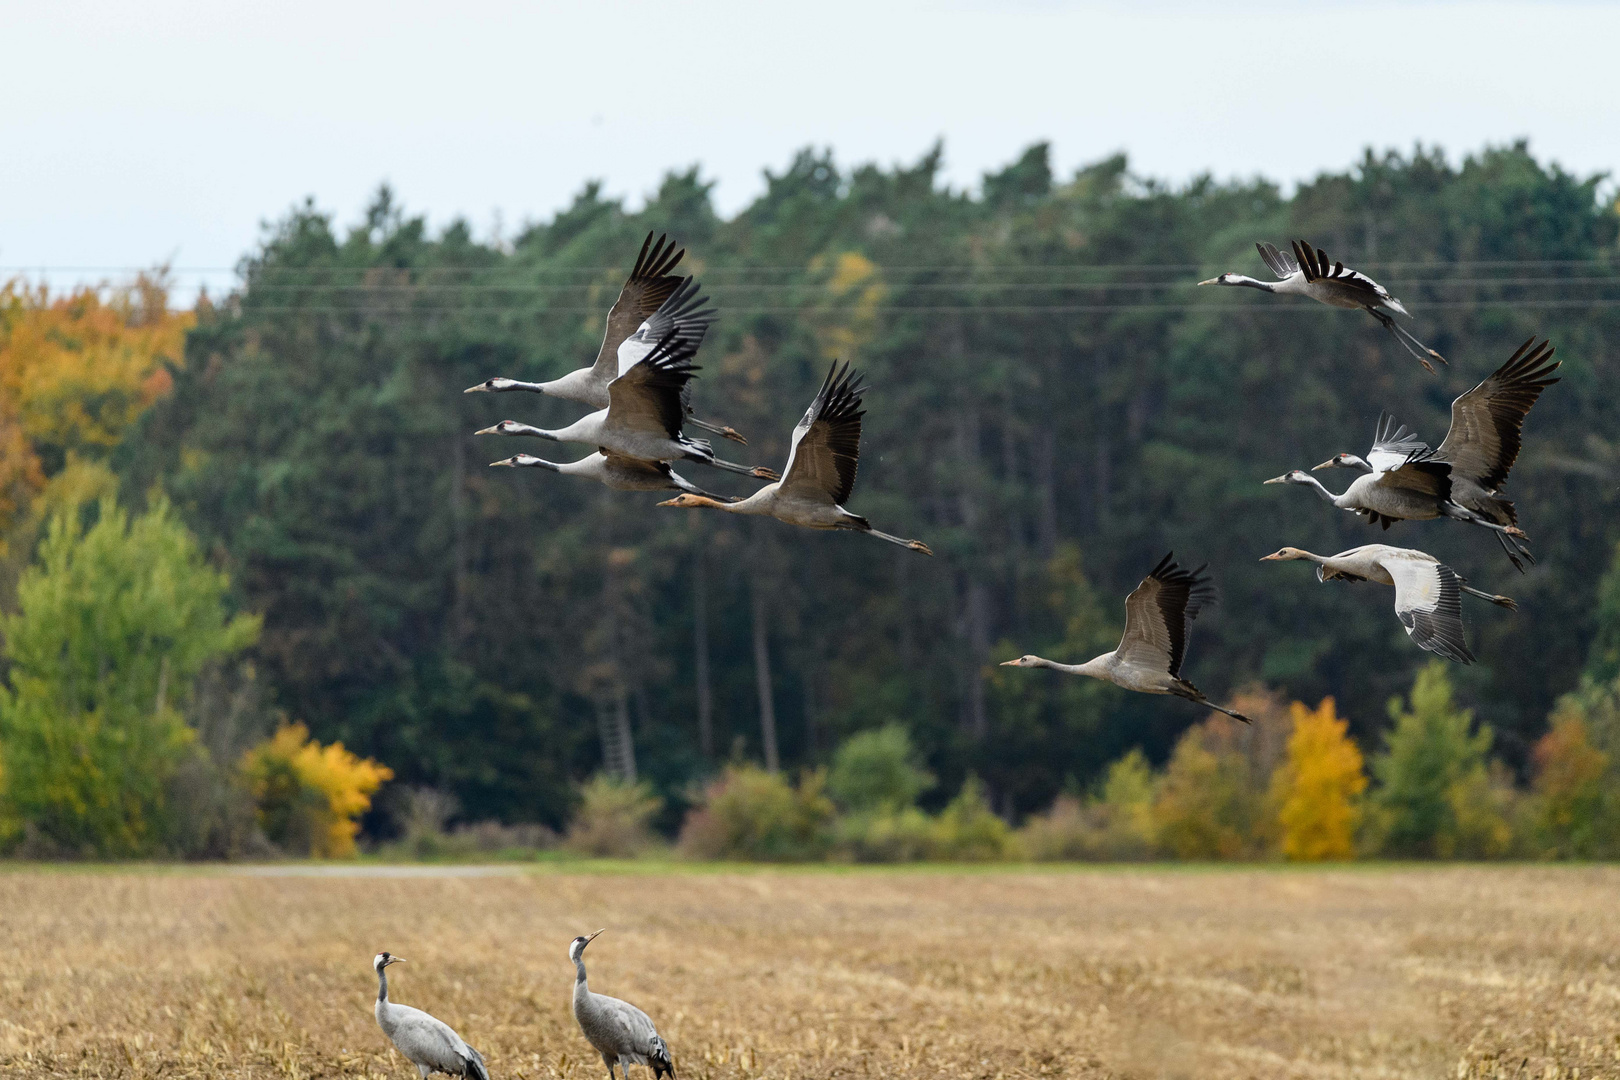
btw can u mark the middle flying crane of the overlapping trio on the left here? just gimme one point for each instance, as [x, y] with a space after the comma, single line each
[644, 415]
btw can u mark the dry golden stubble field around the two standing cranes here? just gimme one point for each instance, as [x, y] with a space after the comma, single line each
[1365, 972]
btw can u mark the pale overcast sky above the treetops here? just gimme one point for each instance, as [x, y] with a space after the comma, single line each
[169, 130]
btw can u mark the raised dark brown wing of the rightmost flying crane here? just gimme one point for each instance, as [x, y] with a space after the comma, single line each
[1488, 422]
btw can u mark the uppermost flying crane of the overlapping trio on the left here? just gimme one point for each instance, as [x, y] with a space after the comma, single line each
[652, 305]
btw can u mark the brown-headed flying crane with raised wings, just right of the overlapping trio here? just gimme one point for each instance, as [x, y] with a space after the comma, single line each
[821, 472]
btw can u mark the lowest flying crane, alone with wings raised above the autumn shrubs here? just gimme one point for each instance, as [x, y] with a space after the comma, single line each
[1157, 621]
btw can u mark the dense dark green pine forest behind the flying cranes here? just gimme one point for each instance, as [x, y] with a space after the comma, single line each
[1052, 407]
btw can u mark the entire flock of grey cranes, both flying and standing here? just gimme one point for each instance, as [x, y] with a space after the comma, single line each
[641, 389]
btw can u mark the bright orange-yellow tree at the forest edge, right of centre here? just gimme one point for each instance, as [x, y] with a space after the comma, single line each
[1318, 789]
